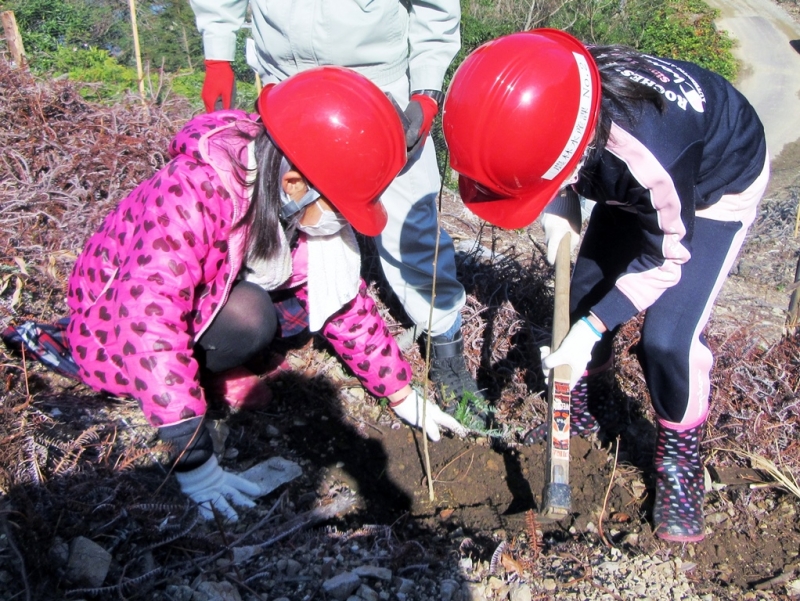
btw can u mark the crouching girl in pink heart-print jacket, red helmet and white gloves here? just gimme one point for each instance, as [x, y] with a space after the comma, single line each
[180, 278]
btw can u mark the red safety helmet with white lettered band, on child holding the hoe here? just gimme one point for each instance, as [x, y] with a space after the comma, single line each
[518, 116]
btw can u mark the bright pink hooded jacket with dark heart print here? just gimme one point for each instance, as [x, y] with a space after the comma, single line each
[153, 277]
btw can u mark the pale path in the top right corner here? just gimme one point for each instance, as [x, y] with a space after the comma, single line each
[770, 76]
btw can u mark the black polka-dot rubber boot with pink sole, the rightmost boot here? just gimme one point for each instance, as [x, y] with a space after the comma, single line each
[680, 486]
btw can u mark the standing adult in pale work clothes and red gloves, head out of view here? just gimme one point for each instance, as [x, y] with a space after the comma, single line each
[405, 48]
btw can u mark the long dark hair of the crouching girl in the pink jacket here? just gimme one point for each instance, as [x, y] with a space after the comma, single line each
[263, 214]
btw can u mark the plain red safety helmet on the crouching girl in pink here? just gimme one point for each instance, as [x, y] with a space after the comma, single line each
[343, 134]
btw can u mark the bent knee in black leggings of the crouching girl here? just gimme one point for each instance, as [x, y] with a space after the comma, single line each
[244, 327]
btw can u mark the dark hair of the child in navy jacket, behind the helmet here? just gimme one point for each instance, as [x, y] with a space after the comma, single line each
[622, 98]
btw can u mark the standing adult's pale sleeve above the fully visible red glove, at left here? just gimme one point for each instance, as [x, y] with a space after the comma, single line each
[218, 21]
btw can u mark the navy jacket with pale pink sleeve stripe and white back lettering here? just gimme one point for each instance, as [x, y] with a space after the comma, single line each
[707, 143]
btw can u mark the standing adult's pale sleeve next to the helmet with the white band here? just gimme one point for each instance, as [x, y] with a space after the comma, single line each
[434, 40]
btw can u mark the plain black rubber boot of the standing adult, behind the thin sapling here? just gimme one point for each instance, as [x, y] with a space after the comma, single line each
[454, 384]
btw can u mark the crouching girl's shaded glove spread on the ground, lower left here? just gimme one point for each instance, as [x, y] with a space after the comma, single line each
[211, 486]
